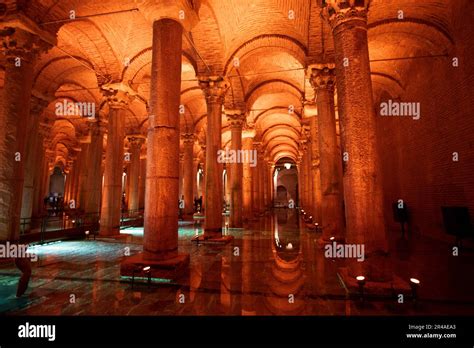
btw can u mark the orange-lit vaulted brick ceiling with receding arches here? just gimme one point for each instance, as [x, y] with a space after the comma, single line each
[253, 43]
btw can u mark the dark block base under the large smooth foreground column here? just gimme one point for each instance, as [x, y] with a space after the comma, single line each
[173, 268]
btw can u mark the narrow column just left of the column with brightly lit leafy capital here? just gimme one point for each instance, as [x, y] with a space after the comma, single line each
[93, 185]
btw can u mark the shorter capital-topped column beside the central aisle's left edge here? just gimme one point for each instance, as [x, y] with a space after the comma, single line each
[236, 119]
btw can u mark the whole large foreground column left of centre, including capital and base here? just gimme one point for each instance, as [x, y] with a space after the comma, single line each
[160, 242]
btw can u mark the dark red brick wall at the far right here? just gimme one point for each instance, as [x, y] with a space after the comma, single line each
[417, 155]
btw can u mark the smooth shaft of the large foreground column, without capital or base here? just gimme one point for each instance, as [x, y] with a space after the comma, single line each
[162, 174]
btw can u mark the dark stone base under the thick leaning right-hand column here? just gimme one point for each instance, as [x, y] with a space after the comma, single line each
[389, 288]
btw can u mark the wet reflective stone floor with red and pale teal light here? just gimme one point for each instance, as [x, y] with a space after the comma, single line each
[273, 268]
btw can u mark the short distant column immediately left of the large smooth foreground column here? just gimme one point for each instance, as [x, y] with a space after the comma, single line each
[136, 142]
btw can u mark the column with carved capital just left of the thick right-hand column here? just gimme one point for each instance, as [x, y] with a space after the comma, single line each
[322, 78]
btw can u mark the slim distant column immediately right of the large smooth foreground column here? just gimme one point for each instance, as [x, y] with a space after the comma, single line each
[188, 140]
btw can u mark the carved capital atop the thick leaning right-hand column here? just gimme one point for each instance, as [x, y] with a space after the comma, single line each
[337, 12]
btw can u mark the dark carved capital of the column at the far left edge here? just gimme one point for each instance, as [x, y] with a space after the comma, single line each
[18, 42]
